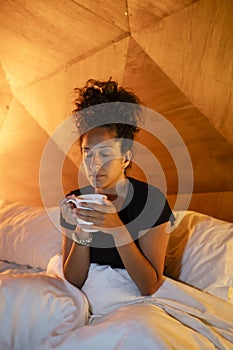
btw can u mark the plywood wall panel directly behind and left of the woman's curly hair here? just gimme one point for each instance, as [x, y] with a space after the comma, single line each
[50, 100]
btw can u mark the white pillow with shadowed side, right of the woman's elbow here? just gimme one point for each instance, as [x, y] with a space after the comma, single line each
[200, 253]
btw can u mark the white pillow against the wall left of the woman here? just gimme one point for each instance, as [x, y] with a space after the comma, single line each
[29, 235]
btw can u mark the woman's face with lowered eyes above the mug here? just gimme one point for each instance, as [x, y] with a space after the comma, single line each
[103, 161]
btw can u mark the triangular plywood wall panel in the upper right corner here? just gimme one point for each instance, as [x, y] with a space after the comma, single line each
[194, 47]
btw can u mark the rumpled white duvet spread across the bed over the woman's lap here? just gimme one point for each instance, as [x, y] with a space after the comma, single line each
[43, 311]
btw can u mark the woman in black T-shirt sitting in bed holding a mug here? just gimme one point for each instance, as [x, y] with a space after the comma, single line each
[131, 222]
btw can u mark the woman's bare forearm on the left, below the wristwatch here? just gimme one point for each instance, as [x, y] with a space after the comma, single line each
[76, 260]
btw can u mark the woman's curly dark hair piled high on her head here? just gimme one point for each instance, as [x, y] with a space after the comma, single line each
[105, 104]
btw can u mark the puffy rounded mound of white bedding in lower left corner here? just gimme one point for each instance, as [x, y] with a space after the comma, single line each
[36, 309]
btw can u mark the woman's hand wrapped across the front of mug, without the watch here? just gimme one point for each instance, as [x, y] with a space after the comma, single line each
[103, 216]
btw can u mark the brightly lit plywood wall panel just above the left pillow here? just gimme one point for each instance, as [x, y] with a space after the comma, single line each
[22, 143]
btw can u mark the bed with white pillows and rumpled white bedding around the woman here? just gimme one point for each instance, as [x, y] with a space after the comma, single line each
[39, 309]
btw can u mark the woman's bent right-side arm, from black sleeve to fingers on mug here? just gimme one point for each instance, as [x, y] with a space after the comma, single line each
[145, 269]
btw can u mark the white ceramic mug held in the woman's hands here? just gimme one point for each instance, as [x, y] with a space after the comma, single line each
[87, 198]
